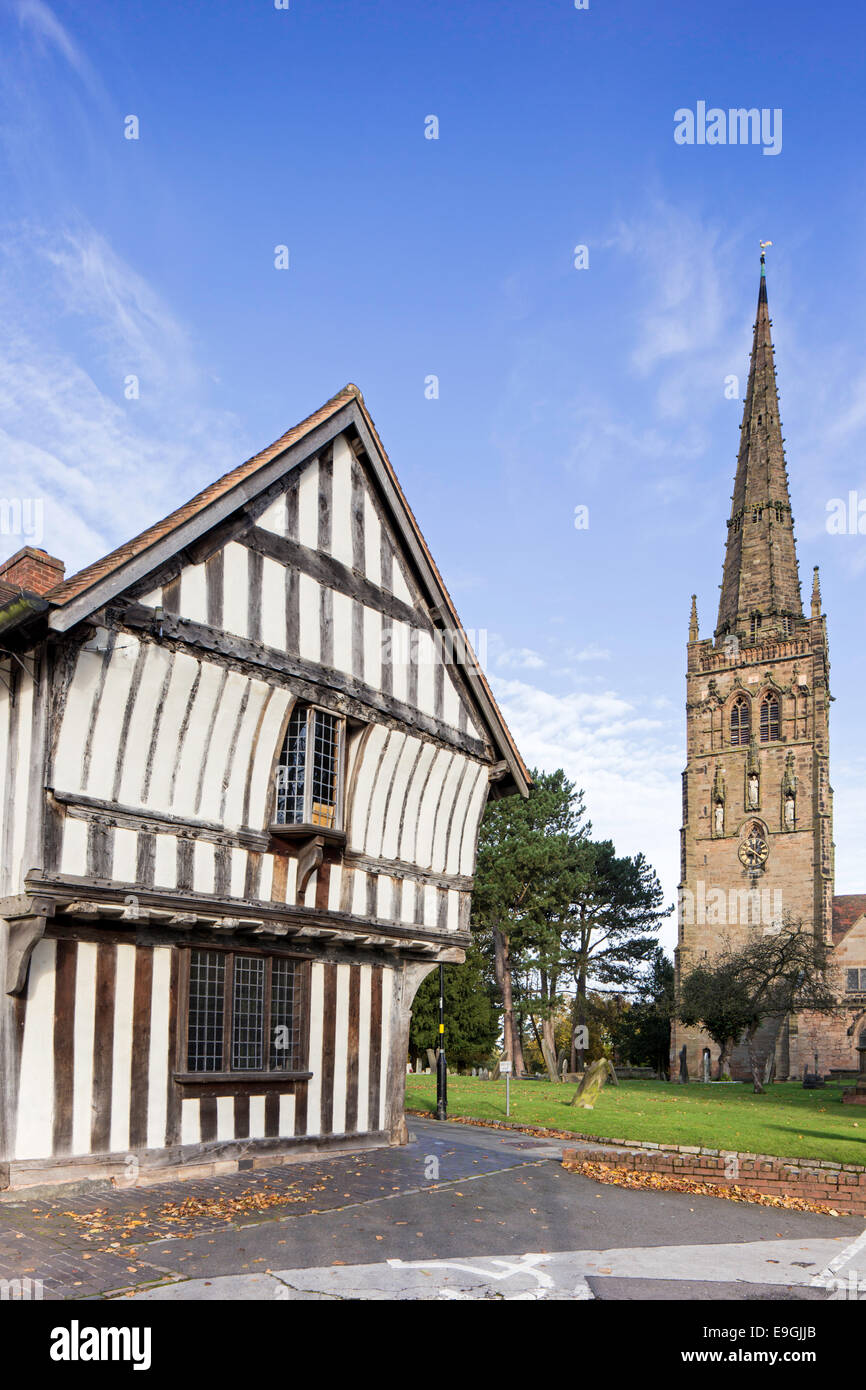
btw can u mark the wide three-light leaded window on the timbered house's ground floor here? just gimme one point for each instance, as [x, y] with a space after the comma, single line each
[244, 1013]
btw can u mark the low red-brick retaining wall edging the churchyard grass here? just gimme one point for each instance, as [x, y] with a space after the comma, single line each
[842, 1186]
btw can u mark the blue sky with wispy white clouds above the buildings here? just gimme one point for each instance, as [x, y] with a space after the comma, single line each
[411, 258]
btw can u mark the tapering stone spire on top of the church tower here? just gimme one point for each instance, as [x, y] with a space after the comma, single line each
[761, 583]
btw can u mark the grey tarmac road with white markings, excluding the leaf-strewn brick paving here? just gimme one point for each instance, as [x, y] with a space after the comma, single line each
[465, 1213]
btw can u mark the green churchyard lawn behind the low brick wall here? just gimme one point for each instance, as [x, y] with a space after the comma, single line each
[787, 1121]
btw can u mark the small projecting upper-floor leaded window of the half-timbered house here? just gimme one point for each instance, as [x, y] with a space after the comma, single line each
[309, 774]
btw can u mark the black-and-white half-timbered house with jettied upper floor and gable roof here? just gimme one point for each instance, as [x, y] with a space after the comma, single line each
[244, 761]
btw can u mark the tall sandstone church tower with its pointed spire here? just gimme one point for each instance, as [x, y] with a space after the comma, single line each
[757, 840]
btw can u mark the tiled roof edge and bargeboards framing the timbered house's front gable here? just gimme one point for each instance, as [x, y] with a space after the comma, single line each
[83, 594]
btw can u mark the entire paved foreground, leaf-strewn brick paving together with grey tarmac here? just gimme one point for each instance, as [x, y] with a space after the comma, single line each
[461, 1213]
